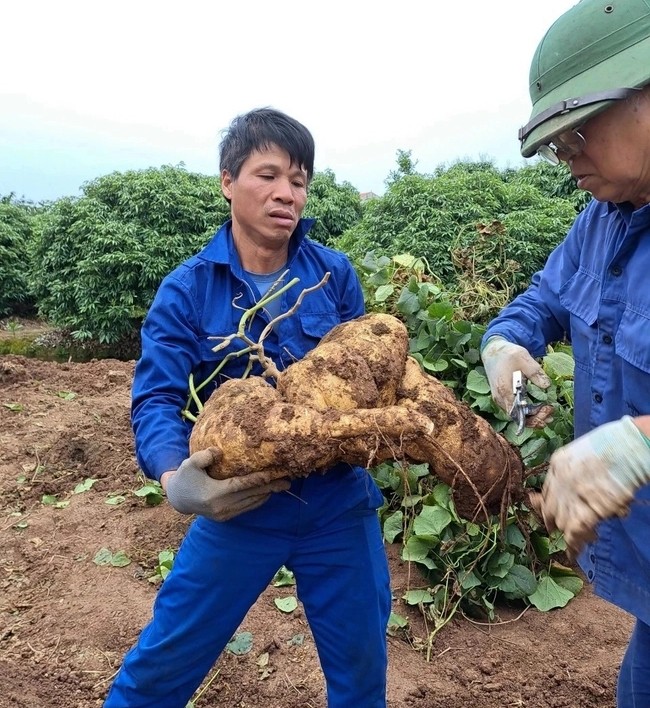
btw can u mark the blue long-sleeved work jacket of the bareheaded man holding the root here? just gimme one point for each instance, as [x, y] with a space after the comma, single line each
[205, 298]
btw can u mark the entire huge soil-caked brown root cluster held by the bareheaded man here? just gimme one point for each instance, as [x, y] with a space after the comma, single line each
[359, 398]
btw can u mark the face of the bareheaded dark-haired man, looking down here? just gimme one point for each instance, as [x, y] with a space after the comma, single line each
[267, 200]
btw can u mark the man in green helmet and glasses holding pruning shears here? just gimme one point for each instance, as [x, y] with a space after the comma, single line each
[590, 90]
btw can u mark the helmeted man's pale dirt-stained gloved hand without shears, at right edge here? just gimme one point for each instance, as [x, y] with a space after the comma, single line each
[593, 478]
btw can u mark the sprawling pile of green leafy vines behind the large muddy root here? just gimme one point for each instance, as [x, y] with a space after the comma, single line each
[468, 566]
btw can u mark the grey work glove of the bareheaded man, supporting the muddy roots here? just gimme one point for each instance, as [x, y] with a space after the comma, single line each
[190, 490]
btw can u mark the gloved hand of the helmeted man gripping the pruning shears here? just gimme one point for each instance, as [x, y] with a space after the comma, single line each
[501, 359]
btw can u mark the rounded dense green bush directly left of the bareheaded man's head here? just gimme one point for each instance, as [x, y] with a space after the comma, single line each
[101, 257]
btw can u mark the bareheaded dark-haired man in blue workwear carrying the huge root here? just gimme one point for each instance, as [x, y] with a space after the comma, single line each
[325, 528]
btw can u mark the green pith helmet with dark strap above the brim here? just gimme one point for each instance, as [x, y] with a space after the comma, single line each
[588, 55]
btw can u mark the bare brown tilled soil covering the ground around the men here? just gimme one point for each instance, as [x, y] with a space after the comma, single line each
[66, 621]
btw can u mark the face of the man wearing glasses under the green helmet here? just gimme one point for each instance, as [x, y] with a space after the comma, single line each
[614, 164]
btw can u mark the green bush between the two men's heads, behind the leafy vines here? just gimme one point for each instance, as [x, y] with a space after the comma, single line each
[444, 219]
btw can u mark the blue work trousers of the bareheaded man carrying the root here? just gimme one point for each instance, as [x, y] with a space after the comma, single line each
[335, 549]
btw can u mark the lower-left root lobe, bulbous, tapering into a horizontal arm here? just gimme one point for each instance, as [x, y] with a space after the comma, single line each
[255, 430]
